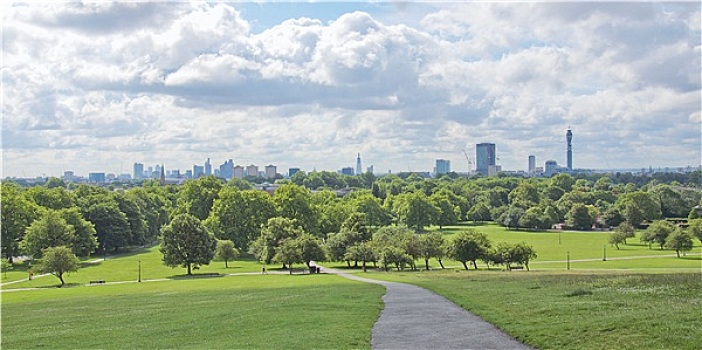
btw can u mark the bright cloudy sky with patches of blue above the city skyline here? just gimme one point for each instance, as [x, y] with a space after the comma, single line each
[97, 86]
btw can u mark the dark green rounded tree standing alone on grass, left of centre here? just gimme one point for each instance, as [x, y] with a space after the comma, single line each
[186, 242]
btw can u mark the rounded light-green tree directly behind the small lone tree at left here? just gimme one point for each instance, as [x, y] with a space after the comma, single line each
[51, 230]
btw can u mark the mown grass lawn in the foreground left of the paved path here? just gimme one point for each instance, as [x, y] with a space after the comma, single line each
[261, 312]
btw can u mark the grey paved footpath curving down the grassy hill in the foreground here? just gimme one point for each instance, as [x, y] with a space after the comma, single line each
[415, 318]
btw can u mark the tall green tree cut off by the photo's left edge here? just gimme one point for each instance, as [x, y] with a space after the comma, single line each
[17, 214]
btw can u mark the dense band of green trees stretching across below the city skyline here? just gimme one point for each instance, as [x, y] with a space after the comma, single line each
[90, 219]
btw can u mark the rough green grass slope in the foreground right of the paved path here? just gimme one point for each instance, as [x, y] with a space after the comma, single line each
[578, 310]
